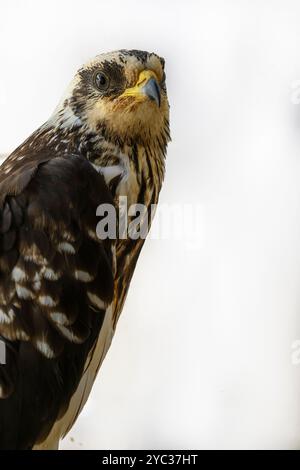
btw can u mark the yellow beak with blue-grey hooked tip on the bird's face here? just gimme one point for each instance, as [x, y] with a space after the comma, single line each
[146, 87]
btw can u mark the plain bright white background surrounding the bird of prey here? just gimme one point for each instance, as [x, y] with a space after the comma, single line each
[202, 354]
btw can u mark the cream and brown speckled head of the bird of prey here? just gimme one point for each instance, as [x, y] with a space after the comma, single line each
[120, 94]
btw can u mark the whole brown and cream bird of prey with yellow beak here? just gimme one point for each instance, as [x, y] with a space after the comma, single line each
[62, 287]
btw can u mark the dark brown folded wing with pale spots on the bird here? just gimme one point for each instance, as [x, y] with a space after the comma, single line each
[56, 281]
